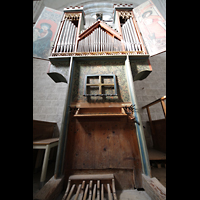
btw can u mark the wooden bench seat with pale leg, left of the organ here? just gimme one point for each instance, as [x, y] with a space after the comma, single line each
[45, 144]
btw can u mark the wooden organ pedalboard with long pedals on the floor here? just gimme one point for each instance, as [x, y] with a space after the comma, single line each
[90, 187]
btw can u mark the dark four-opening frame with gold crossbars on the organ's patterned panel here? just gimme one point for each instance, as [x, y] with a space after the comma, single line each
[100, 85]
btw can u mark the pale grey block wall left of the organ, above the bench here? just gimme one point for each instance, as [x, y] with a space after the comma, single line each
[48, 96]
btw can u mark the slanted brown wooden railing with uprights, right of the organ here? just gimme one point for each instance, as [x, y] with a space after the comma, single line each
[161, 100]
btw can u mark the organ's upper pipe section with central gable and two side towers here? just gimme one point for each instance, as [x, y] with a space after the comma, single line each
[99, 38]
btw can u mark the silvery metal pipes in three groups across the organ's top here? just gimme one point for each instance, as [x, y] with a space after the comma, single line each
[98, 40]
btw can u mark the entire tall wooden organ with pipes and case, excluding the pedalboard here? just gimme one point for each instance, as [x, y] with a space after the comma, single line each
[101, 133]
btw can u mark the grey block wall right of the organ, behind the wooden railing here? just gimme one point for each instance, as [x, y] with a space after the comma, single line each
[150, 89]
